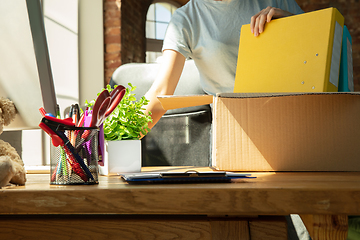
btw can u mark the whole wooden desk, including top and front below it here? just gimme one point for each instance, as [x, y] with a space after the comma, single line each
[115, 210]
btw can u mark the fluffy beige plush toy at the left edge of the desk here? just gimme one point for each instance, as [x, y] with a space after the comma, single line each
[11, 166]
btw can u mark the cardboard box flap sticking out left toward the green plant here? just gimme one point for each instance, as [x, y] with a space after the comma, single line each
[172, 102]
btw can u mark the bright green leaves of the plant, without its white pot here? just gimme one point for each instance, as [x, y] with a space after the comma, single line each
[128, 121]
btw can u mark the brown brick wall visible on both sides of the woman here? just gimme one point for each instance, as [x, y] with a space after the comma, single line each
[124, 30]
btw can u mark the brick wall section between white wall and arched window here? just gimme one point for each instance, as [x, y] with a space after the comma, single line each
[124, 33]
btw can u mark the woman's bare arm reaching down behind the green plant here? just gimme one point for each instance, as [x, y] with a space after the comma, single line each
[165, 83]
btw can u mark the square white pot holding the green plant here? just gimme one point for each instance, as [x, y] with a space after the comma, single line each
[122, 156]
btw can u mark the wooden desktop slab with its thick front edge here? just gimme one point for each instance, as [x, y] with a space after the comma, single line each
[269, 194]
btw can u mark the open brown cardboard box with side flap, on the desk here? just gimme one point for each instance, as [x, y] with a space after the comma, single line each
[281, 131]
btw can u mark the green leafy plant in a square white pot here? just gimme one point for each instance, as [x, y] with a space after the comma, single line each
[122, 131]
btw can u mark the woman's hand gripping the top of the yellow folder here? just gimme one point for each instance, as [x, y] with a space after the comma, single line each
[258, 21]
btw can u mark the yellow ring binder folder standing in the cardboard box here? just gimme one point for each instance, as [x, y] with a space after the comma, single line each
[300, 53]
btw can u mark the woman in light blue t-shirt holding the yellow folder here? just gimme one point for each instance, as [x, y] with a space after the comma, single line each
[208, 31]
